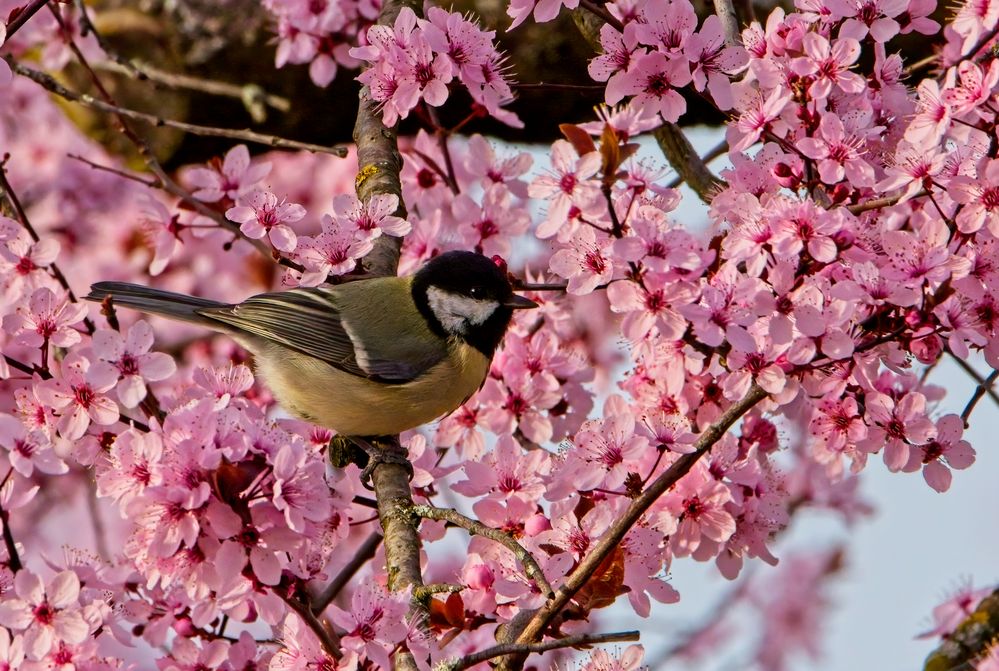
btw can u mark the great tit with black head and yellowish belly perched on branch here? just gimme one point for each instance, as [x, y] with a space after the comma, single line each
[372, 357]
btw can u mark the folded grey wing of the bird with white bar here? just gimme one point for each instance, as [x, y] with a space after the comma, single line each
[310, 321]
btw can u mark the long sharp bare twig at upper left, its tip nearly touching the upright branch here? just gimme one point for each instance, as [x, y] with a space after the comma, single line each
[245, 135]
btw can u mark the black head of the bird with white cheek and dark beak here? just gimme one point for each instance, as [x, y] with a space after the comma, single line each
[468, 296]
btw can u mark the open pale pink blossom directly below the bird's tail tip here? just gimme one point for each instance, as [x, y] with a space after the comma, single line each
[132, 358]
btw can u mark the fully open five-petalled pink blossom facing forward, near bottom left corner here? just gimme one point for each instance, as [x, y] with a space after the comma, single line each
[45, 613]
